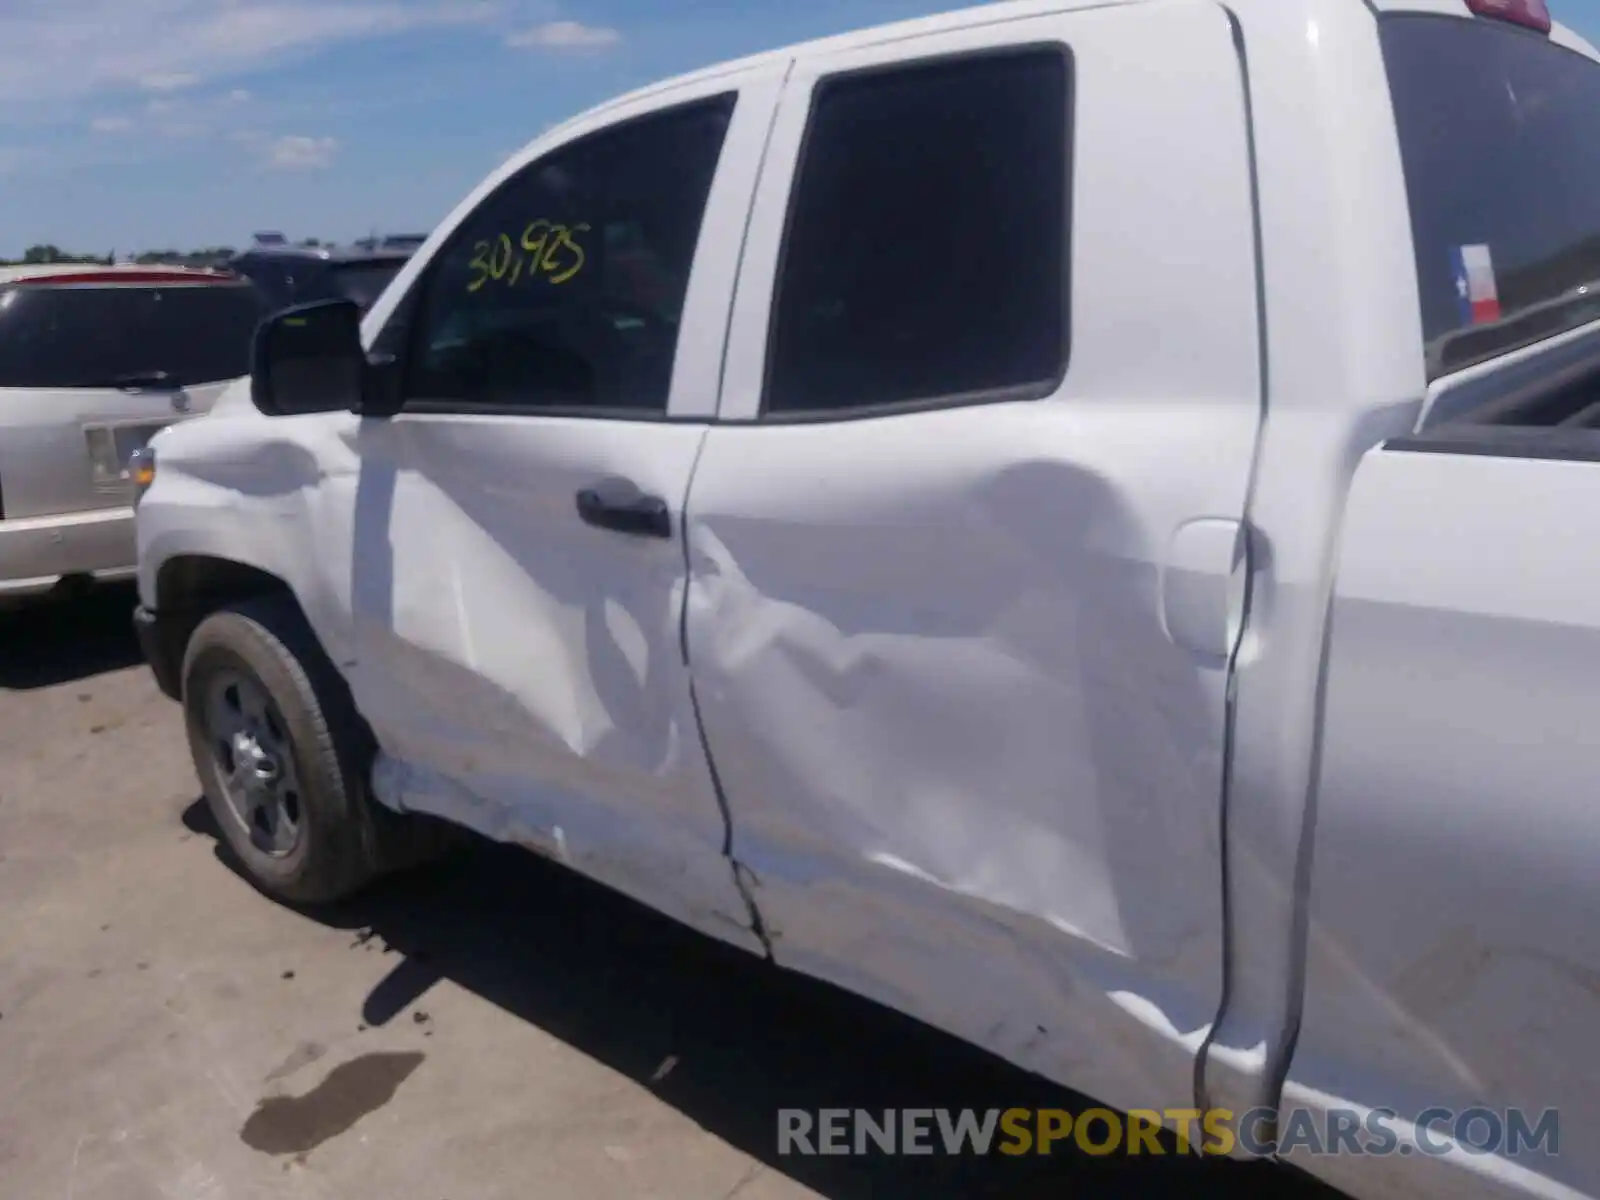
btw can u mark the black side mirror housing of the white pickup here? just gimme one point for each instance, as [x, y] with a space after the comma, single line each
[310, 359]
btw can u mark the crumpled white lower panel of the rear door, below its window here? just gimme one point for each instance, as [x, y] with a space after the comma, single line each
[1022, 662]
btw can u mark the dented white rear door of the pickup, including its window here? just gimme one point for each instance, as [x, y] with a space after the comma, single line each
[964, 550]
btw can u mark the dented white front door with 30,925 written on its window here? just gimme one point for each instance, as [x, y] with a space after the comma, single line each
[522, 663]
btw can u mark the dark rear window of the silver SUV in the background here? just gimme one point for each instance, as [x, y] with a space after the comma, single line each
[92, 337]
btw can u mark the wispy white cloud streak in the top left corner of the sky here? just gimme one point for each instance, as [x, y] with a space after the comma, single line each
[76, 49]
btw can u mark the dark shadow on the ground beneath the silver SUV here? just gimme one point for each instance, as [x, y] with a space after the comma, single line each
[63, 639]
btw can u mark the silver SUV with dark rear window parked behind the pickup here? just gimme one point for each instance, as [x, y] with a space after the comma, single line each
[94, 361]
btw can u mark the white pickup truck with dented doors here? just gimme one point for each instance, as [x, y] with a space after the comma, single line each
[1070, 519]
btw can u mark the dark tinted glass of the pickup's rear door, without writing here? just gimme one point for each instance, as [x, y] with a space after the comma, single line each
[927, 242]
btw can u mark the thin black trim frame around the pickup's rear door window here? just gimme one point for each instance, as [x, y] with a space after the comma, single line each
[990, 396]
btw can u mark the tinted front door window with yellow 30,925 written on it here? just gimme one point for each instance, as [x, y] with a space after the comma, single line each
[564, 290]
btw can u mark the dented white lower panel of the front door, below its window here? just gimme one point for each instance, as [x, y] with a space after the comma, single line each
[543, 666]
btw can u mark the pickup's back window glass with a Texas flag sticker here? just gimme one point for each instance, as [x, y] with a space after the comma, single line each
[1498, 132]
